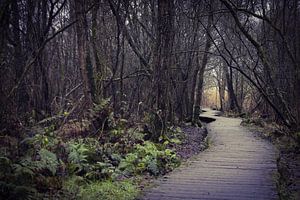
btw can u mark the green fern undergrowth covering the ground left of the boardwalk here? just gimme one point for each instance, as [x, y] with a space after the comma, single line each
[84, 159]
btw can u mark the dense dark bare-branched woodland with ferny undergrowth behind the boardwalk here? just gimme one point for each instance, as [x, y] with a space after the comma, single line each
[96, 89]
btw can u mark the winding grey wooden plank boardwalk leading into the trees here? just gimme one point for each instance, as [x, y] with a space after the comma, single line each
[238, 165]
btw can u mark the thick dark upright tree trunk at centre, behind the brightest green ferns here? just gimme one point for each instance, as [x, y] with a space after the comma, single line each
[162, 61]
